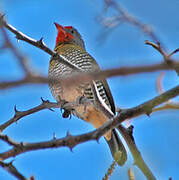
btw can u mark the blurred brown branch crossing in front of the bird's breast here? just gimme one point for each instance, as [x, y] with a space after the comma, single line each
[84, 77]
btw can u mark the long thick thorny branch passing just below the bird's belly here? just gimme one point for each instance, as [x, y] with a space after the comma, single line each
[71, 141]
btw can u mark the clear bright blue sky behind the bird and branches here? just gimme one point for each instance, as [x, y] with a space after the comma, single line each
[156, 136]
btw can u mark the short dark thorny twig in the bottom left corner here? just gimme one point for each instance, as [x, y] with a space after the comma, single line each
[12, 170]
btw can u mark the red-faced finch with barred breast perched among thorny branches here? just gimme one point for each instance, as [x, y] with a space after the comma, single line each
[70, 45]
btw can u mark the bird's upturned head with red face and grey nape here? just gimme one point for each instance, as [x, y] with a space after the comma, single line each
[67, 35]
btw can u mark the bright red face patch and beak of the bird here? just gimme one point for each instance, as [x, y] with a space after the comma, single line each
[62, 35]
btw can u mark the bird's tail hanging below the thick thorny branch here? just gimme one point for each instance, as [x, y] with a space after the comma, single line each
[117, 148]
